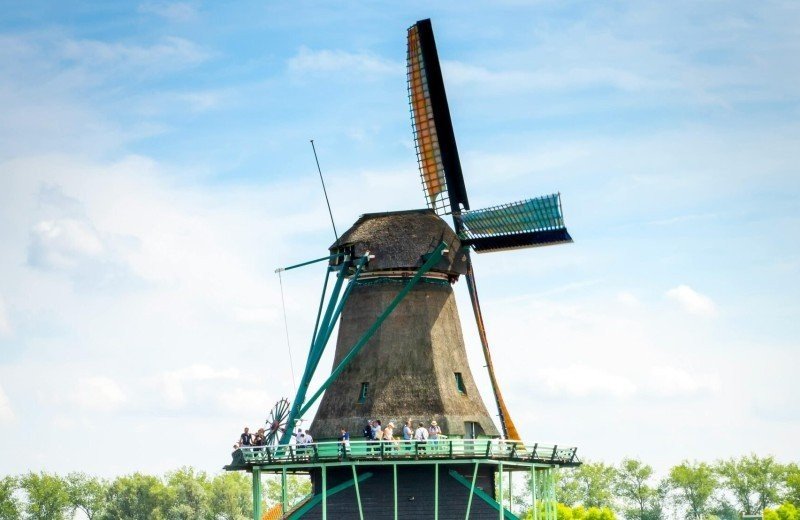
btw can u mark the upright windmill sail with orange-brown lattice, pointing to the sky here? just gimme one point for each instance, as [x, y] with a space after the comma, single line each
[434, 140]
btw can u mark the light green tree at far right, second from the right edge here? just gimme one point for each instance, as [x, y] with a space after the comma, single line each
[754, 482]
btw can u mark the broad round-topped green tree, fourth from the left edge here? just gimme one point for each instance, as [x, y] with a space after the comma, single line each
[137, 497]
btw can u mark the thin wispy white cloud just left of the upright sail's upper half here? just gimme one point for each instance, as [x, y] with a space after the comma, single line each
[347, 63]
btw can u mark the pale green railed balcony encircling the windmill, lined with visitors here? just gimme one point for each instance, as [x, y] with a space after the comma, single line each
[393, 451]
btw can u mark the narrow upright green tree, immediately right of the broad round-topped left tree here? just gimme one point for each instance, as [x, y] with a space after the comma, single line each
[189, 495]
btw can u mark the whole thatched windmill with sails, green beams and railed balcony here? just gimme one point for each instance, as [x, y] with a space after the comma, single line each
[400, 352]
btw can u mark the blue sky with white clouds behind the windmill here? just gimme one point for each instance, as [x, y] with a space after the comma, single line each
[155, 170]
